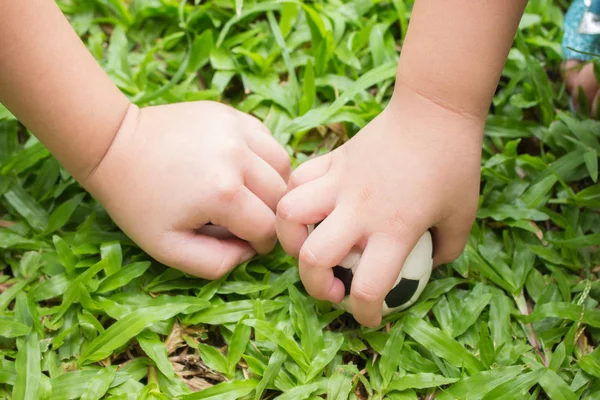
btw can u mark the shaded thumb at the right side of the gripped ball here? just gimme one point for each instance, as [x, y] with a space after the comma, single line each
[449, 239]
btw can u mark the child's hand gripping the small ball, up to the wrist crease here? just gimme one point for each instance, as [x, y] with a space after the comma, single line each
[414, 167]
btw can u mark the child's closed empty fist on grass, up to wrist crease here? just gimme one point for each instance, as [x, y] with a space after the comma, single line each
[173, 169]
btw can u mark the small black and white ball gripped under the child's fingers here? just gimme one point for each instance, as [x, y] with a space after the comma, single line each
[409, 285]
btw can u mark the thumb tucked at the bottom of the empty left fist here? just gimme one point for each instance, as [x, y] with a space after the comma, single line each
[203, 256]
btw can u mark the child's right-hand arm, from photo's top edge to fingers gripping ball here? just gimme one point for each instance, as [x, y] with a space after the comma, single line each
[414, 167]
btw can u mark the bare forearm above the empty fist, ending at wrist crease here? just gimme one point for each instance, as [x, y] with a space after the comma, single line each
[50, 81]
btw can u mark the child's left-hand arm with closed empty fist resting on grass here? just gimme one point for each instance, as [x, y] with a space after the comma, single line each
[162, 173]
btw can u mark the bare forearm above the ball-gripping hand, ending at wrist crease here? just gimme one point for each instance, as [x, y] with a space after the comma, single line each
[455, 50]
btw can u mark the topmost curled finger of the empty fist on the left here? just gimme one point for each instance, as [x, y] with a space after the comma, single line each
[263, 144]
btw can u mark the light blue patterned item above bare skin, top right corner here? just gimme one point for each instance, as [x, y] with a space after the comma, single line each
[589, 43]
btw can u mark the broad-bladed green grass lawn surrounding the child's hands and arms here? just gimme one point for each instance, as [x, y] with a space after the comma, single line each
[85, 314]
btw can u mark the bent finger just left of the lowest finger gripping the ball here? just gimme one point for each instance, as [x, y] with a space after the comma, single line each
[327, 246]
